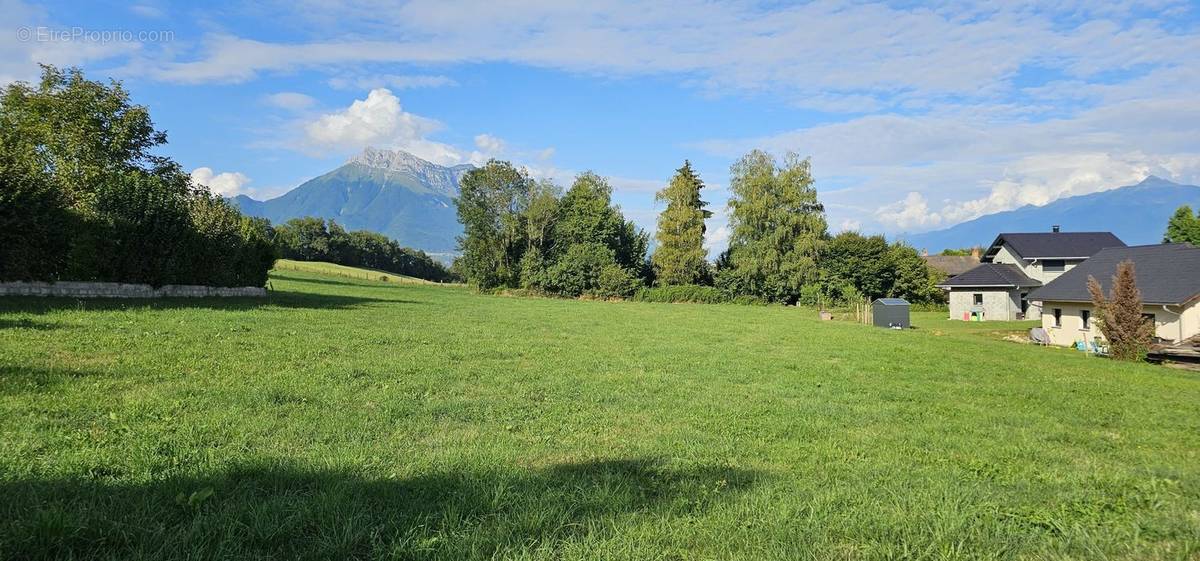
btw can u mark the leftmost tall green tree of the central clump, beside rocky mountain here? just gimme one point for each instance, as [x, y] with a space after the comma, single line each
[491, 208]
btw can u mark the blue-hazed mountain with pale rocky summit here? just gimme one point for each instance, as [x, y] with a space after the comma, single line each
[392, 192]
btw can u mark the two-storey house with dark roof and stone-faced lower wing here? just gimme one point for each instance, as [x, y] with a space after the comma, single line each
[1015, 266]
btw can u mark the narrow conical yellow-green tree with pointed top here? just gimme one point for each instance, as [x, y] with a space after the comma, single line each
[680, 257]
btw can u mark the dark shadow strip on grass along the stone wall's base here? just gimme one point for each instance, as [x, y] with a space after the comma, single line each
[279, 299]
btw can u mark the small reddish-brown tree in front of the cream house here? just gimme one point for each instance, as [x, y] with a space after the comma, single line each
[1120, 316]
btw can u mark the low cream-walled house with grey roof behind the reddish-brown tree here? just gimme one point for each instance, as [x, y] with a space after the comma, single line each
[1168, 279]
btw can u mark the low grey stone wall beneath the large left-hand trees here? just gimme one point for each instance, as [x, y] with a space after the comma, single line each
[124, 291]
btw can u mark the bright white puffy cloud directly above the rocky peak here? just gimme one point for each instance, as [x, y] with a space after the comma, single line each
[379, 120]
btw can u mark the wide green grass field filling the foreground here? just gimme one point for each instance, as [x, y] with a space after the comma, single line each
[346, 419]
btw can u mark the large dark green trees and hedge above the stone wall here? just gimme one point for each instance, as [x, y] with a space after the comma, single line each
[85, 198]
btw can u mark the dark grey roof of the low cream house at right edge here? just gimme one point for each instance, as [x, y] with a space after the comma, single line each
[1168, 274]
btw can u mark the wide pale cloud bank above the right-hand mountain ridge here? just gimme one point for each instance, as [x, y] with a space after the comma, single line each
[968, 164]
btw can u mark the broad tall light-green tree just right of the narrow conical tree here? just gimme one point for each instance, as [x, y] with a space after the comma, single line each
[778, 228]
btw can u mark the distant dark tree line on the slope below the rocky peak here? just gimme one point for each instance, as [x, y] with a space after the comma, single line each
[313, 239]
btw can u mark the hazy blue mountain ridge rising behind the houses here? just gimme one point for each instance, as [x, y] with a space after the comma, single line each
[1137, 214]
